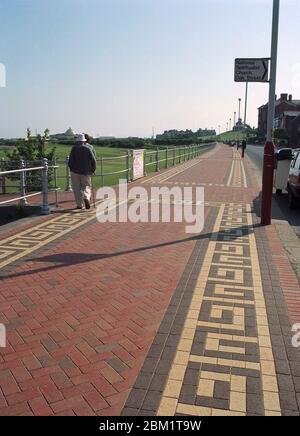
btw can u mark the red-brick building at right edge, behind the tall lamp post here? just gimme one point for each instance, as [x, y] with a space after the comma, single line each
[287, 117]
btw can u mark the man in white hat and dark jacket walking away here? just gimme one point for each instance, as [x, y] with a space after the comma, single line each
[82, 163]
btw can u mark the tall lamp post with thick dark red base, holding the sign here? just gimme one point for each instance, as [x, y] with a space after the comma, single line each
[268, 169]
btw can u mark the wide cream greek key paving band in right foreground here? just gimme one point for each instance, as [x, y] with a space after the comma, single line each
[225, 348]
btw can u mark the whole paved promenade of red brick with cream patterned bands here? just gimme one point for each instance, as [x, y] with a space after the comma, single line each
[145, 319]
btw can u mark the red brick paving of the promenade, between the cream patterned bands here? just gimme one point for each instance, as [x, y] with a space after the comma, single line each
[82, 315]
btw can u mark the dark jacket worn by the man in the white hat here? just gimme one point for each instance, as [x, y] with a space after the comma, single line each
[82, 160]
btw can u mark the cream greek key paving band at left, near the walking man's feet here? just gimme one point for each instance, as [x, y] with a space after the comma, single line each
[30, 240]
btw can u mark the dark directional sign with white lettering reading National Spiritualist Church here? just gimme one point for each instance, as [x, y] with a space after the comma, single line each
[251, 70]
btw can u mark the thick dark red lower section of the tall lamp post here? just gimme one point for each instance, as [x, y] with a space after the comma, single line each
[267, 188]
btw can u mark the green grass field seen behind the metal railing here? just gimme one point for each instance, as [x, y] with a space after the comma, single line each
[110, 160]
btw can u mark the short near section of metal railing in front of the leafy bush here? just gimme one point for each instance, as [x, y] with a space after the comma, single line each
[21, 174]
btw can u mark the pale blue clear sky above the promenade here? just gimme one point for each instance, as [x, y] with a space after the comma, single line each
[124, 67]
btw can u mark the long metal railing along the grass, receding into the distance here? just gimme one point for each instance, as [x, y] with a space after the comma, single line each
[113, 167]
